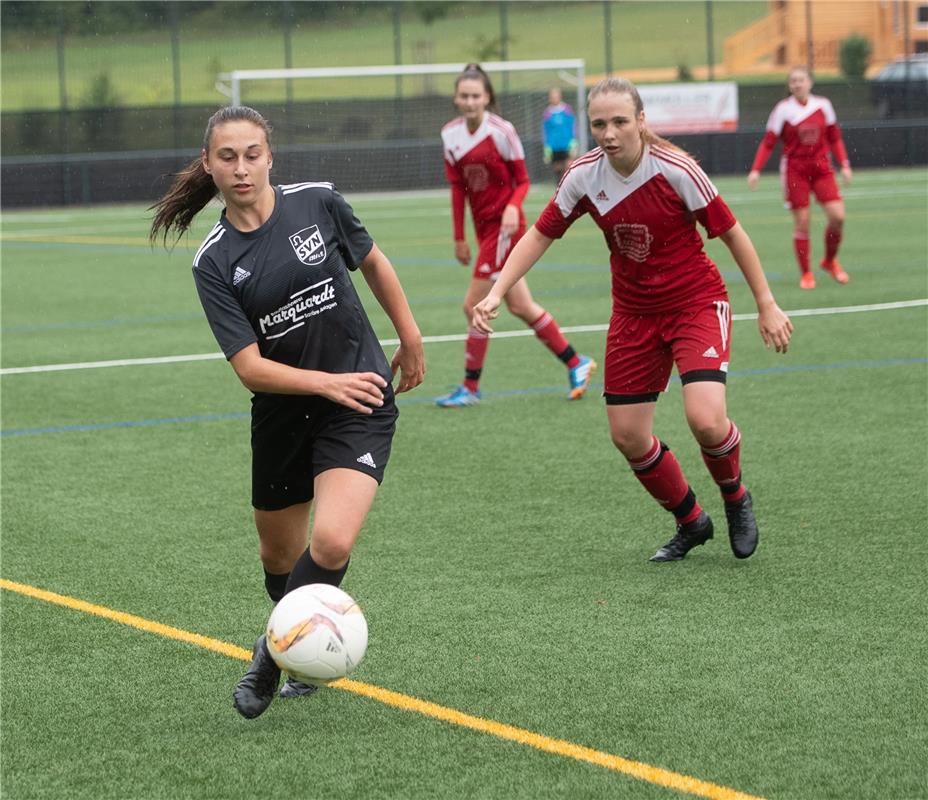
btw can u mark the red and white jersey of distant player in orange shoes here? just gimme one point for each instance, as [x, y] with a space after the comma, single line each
[808, 131]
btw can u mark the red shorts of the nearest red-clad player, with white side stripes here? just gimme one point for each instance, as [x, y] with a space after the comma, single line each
[641, 350]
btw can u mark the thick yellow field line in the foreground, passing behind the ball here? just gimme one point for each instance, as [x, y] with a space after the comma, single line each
[559, 747]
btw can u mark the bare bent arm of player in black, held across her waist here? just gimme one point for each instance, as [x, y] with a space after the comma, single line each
[361, 391]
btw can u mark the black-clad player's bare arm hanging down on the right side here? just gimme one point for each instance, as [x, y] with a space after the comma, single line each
[409, 357]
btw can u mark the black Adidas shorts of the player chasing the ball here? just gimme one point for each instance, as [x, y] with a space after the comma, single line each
[296, 437]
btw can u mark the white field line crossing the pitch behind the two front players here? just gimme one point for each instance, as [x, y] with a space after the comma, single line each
[450, 337]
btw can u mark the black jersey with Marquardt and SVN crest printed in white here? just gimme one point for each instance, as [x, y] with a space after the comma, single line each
[286, 285]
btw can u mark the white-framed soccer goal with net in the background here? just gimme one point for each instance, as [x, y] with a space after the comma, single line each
[378, 128]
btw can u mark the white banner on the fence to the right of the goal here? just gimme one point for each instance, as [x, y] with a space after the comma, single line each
[690, 107]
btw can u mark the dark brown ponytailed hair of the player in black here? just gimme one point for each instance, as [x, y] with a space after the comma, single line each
[193, 186]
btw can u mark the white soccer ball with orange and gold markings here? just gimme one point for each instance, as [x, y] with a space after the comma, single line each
[317, 633]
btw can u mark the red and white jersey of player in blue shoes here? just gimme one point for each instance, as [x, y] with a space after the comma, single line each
[487, 167]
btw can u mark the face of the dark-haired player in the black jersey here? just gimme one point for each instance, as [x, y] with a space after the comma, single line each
[239, 160]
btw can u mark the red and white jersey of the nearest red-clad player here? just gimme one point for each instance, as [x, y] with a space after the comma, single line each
[649, 223]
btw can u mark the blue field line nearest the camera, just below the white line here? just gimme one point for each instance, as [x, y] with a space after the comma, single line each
[418, 400]
